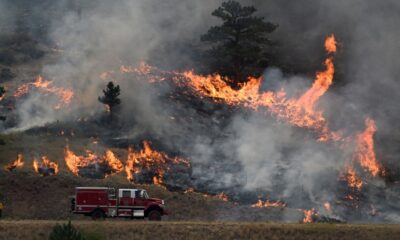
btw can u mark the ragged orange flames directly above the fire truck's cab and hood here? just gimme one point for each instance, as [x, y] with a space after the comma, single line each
[152, 161]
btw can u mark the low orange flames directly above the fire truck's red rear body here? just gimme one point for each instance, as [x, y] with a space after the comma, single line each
[75, 163]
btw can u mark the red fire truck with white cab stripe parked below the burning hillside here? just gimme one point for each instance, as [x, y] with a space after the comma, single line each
[101, 202]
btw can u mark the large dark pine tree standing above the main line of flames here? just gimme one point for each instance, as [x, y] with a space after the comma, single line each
[238, 45]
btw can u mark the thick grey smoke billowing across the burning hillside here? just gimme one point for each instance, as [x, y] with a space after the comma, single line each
[229, 148]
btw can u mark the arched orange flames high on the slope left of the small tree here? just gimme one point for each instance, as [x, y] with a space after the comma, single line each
[65, 95]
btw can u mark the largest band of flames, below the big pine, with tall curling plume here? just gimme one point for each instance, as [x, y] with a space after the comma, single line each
[300, 112]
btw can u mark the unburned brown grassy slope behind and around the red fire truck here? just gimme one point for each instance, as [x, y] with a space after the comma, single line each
[27, 195]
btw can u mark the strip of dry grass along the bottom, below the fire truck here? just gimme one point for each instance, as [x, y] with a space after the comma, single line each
[203, 230]
